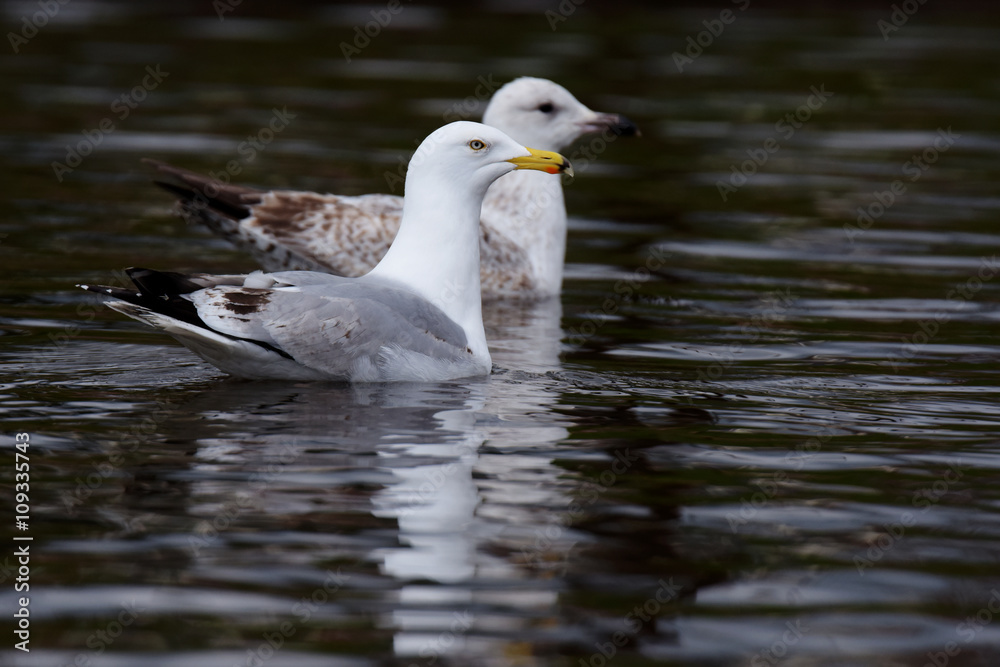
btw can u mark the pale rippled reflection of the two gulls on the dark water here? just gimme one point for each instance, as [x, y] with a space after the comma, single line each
[443, 487]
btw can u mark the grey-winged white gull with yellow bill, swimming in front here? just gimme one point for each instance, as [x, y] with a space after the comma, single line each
[416, 316]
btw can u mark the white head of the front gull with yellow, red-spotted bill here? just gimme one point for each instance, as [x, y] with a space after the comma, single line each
[471, 156]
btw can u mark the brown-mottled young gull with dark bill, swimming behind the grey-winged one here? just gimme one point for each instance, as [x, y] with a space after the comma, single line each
[523, 232]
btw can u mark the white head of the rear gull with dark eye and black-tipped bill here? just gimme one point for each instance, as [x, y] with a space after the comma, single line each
[545, 115]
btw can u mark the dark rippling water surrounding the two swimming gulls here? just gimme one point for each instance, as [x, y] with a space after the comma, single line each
[761, 428]
